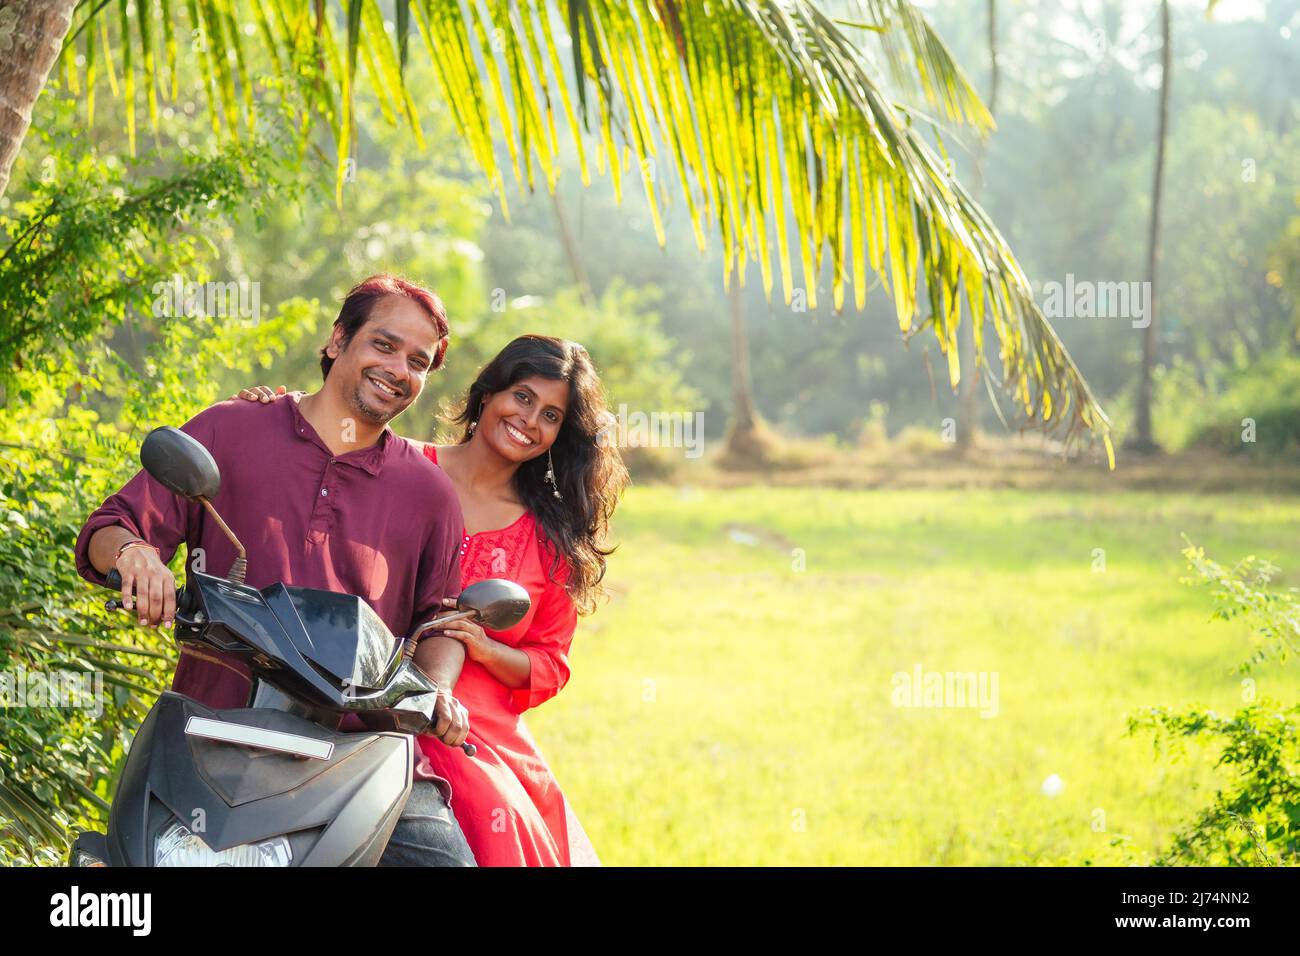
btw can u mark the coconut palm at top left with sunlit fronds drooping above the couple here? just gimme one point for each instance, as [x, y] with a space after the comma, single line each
[774, 127]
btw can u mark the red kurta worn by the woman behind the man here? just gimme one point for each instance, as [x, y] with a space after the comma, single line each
[505, 798]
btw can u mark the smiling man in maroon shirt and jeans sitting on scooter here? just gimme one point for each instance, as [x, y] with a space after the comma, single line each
[323, 495]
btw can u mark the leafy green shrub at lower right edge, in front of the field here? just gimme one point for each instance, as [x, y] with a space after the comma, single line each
[1256, 819]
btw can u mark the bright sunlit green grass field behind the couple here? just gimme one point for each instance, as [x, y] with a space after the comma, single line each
[729, 708]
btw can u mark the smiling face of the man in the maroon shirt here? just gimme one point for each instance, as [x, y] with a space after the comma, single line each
[383, 370]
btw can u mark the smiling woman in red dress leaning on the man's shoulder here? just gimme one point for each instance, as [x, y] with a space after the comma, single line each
[538, 488]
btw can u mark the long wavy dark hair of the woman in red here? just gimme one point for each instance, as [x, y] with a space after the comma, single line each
[590, 470]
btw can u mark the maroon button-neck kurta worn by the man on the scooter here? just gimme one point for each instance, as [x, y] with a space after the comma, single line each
[383, 524]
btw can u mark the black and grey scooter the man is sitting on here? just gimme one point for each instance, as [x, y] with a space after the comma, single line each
[276, 784]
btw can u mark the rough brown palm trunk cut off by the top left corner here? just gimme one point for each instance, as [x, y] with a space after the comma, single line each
[32, 34]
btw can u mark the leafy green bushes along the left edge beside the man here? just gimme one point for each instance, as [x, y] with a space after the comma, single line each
[89, 252]
